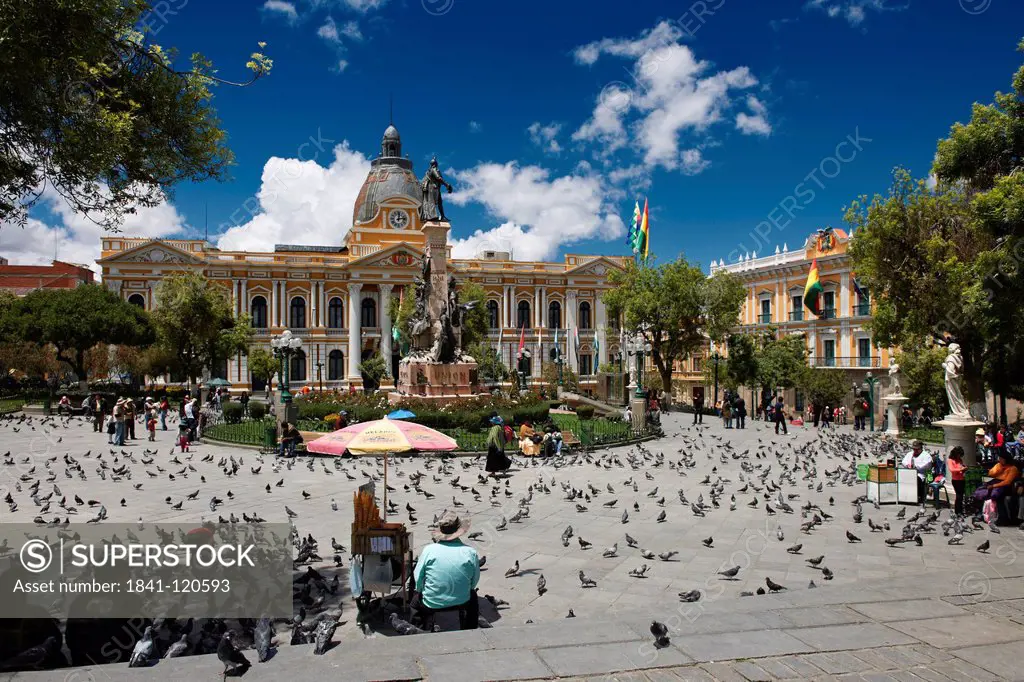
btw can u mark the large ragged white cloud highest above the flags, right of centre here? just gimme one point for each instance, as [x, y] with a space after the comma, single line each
[673, 94]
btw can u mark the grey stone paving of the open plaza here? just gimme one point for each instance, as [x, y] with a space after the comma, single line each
[898, 609]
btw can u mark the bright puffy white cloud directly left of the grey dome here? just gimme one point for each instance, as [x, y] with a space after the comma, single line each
[302, 202]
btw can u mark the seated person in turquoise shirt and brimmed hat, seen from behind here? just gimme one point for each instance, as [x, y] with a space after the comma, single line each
[447, 574]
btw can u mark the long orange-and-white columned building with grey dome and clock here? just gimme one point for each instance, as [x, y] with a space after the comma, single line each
[336, 297]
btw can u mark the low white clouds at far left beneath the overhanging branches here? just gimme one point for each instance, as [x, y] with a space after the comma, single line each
[57, 229]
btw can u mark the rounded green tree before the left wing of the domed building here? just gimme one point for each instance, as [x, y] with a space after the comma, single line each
[195, 323]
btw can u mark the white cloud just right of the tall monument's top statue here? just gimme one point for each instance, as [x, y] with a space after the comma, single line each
[539, 215]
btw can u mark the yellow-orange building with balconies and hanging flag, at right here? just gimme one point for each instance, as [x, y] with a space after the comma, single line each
[839, 339]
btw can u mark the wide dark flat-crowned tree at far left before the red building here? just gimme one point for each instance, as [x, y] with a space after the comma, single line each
[73, 321]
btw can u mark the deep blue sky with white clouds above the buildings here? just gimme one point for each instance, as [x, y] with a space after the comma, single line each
[746, 125]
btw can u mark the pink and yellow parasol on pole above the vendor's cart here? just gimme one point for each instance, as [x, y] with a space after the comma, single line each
[382, 437]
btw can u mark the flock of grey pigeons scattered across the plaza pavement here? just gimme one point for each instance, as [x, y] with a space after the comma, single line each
[644, 515]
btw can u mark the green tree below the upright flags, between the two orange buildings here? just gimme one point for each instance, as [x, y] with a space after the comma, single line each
[675, 308]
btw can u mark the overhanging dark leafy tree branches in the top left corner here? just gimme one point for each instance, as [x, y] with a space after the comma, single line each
[96, 111]
